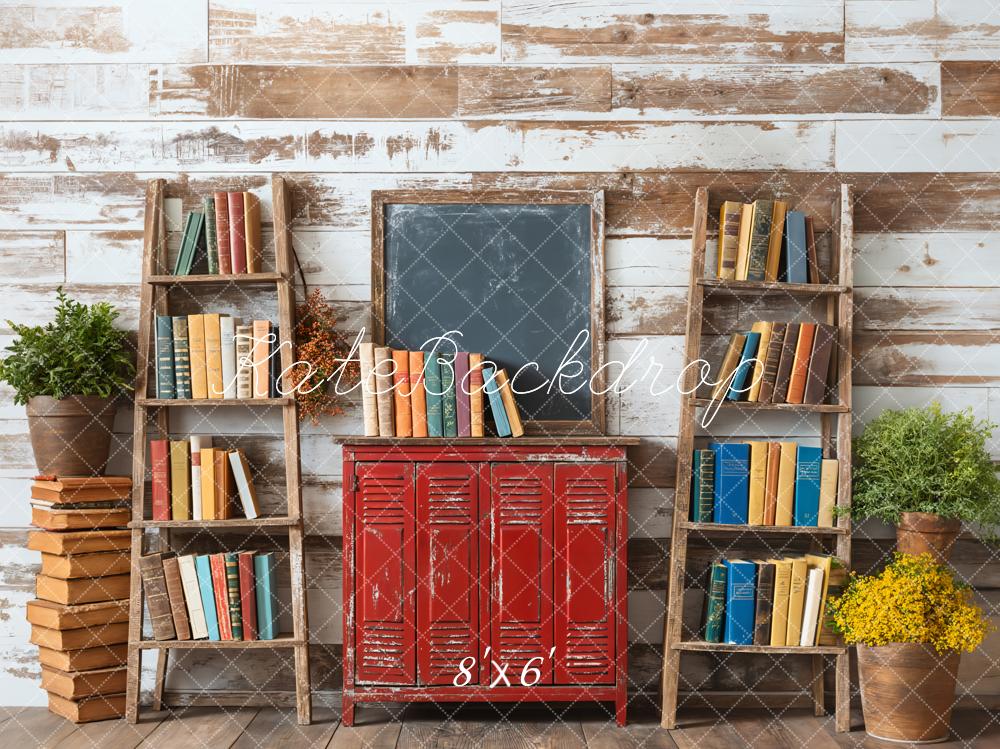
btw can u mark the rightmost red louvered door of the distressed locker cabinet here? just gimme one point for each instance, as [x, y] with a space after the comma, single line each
[585, 581]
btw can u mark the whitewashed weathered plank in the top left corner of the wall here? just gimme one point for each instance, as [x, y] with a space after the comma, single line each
[104, 31]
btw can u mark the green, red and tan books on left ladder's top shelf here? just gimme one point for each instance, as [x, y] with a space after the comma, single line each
[224, 237]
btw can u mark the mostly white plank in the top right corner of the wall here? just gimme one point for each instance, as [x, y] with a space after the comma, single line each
[904, 30]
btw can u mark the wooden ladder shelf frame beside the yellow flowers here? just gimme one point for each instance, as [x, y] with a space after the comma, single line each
[835, 439]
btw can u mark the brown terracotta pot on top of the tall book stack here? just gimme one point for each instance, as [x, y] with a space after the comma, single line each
[71, 436]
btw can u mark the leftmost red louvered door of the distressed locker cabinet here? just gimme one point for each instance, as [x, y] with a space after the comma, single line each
[384, 567]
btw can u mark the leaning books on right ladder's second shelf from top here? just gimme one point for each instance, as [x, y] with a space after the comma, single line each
[776, 362]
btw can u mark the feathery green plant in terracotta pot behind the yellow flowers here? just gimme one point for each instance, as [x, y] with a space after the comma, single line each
[928, 472]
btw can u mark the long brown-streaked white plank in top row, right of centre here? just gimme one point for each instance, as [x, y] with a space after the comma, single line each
[580, 30]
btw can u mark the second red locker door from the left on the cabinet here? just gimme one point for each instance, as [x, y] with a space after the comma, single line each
[448, 570]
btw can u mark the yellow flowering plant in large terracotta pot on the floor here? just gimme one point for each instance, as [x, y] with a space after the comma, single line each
[910, 624]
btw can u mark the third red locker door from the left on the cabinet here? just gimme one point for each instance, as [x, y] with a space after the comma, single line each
[521, 570]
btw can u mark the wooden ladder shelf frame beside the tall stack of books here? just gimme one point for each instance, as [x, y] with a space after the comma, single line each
[153, 301]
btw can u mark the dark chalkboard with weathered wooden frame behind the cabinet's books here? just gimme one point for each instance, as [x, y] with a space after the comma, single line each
[518, 273]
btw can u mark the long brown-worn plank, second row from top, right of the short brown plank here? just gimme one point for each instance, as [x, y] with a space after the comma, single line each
[721, 92]
